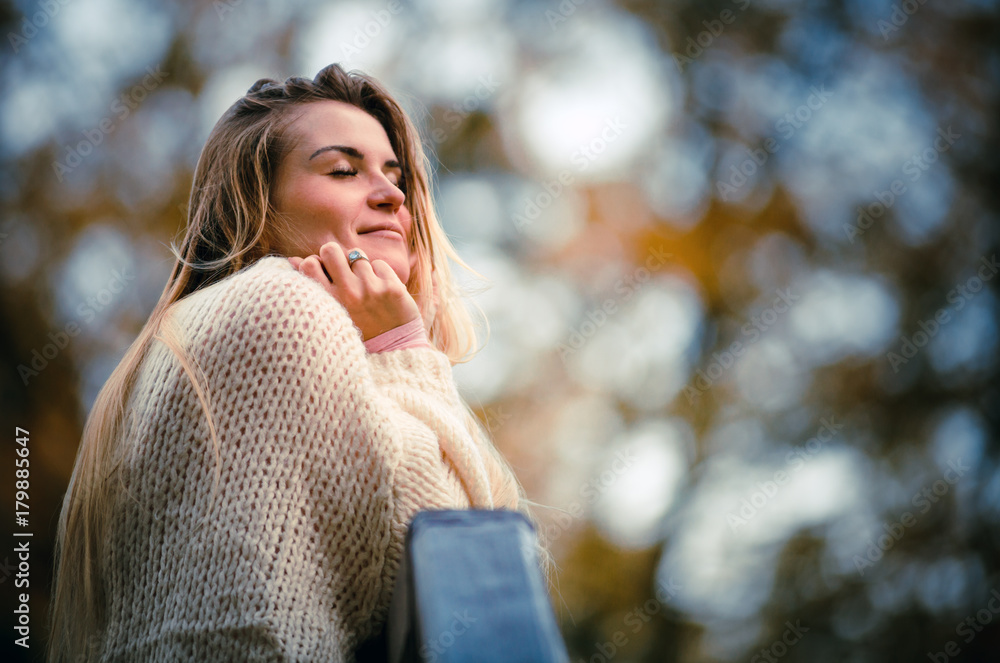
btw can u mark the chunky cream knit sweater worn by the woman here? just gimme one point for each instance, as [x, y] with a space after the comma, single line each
[326, 454]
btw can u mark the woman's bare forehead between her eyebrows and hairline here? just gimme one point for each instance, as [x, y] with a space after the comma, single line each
[327, 122]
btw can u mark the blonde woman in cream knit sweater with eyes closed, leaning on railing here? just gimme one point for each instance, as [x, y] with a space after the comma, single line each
[247, 474]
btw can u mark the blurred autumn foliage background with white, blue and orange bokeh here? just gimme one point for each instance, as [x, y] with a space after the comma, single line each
[741, 270]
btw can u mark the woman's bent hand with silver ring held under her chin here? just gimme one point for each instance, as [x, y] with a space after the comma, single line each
[373, 295]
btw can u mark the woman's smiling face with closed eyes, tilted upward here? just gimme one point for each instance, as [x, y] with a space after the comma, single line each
[341, 182]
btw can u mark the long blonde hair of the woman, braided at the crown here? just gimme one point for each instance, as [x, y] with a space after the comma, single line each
[231, 224]
